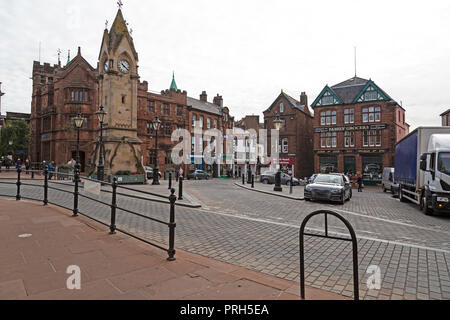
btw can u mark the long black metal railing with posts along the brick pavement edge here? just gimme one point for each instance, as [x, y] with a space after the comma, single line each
[47, 184]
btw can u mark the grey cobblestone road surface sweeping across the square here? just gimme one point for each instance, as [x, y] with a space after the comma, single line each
[260, 232]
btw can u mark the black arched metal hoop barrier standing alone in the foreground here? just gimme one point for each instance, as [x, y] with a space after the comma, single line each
[352, 239]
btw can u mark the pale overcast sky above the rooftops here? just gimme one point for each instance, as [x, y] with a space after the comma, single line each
[245, 50]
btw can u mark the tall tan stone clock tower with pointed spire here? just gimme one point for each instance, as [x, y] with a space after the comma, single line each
[118, 81]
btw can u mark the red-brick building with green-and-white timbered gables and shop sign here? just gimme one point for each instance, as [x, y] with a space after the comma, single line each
[356, 126]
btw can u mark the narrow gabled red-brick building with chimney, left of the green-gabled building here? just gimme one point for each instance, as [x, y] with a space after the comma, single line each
[296, 135]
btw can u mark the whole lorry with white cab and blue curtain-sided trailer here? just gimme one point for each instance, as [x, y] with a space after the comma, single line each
[422, 168]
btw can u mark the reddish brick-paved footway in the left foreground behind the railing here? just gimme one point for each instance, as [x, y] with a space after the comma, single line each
[114, 266]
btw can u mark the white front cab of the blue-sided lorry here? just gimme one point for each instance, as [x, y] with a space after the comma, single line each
[435, 164]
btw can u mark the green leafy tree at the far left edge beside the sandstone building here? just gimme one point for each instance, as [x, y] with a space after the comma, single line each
[18, 132]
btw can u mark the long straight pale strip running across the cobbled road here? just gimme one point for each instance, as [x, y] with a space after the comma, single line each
[321, 230]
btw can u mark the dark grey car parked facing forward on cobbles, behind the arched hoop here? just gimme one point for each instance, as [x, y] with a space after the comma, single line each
[331, 187]
